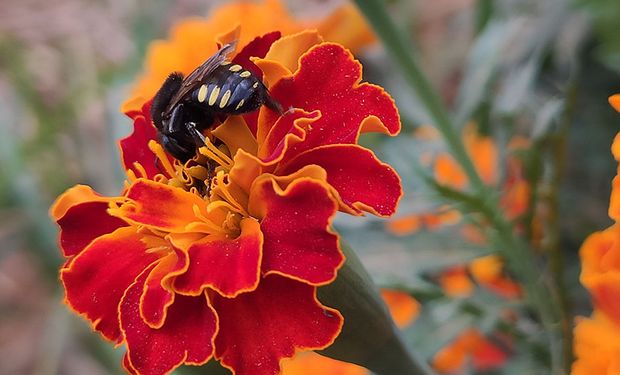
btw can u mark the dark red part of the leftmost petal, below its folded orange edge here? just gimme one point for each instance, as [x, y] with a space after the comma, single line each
[84, 222]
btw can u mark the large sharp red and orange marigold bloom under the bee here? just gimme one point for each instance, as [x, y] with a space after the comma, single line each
[221, 257]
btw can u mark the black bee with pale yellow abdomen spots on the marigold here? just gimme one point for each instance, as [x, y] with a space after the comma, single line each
[184, 107]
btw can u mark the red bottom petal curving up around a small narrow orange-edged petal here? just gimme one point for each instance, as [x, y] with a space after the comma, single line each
[186, 336]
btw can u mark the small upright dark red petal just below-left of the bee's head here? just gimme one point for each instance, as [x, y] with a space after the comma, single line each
[134, 148]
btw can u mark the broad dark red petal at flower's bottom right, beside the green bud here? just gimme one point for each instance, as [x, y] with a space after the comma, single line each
[259, 328]
